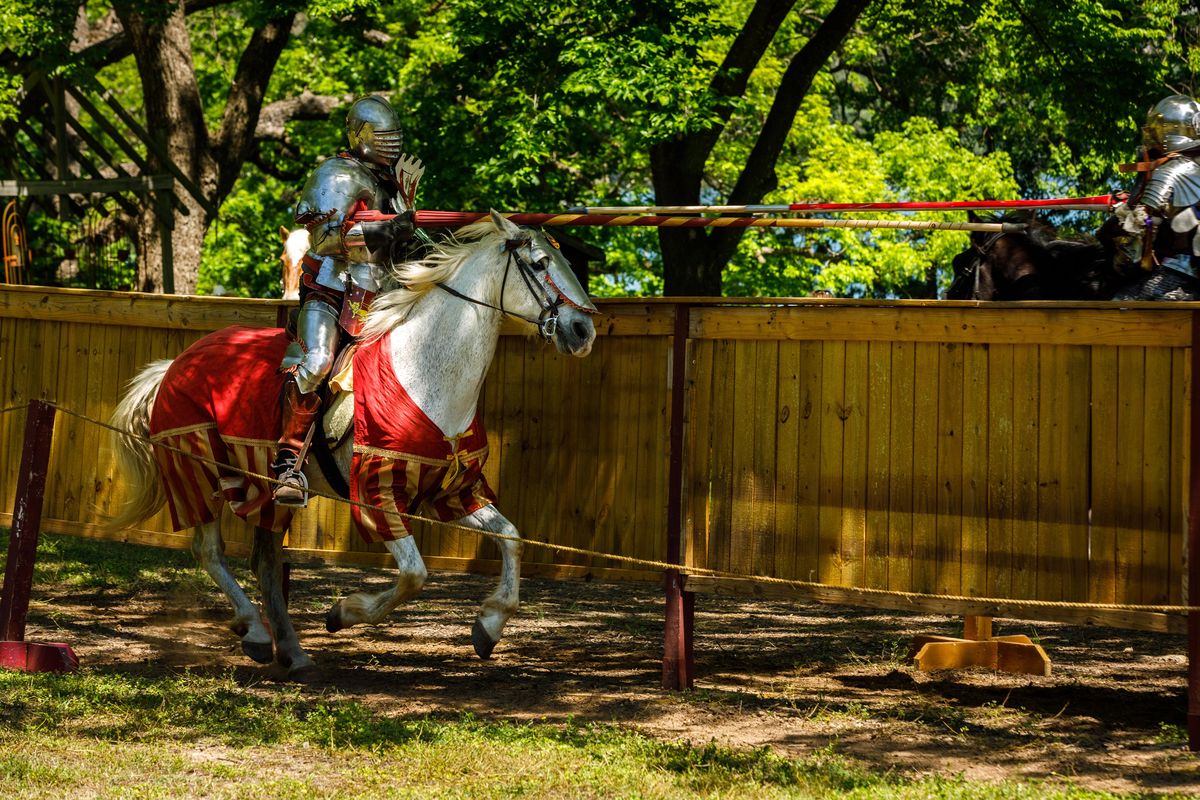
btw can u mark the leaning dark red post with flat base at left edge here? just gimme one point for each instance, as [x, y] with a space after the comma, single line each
[19, 580]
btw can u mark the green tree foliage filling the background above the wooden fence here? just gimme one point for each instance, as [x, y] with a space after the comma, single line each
[535, 105]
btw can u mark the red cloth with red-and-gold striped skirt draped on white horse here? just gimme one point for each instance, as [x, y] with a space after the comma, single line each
[219, 408]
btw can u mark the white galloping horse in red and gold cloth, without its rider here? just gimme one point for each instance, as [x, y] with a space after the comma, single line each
[439, 333]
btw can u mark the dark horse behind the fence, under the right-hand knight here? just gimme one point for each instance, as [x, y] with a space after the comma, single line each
[1034, 264]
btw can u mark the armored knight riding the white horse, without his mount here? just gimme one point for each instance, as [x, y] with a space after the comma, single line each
[343, 272]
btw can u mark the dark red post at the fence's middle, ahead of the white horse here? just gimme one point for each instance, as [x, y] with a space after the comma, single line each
[677, 635]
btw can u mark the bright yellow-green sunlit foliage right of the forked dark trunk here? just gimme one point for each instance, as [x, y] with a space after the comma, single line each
[917, 163]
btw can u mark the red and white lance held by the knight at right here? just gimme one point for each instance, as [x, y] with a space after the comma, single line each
[1099, 203]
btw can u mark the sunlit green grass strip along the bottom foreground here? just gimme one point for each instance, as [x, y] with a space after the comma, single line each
[184, 736]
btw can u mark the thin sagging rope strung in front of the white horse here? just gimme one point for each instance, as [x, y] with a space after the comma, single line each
[667, 566]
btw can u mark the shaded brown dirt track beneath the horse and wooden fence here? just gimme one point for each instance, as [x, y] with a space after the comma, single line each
[794, 677]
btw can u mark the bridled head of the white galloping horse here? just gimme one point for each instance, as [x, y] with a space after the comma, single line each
[541, 288]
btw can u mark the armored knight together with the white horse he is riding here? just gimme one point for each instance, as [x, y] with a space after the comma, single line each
[214, 418]
